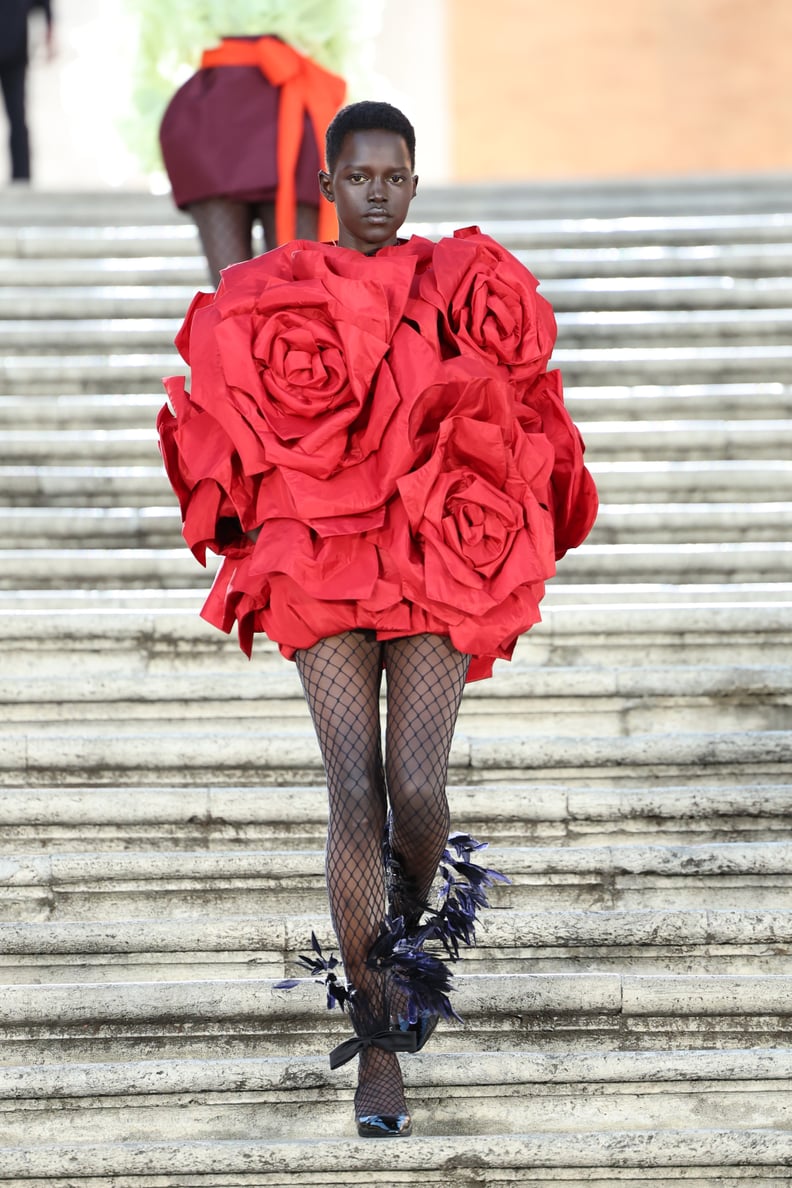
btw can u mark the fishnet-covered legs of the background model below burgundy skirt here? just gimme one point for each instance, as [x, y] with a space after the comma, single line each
[226, 230]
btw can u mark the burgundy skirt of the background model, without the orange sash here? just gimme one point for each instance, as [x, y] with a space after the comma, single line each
[219, 140]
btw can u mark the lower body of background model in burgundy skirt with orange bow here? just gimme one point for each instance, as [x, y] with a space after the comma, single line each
[242, 142]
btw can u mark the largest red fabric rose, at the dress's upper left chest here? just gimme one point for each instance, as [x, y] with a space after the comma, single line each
[288, 364]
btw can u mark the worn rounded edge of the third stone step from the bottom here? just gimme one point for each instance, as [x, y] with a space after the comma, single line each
[478, 997]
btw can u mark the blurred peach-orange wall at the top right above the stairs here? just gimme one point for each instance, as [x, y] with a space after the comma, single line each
[606, 89]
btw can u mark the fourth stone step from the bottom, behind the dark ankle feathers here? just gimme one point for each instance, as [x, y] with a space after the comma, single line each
[736, 941]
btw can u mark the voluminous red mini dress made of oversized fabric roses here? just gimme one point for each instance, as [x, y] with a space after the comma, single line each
[390, 426]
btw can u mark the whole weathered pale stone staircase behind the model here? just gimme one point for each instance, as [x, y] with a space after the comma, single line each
[162, 813]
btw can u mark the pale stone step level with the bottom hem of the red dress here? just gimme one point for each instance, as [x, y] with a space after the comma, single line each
[666, 628]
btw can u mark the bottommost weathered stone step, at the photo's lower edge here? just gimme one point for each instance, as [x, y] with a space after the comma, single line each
[629, 1159]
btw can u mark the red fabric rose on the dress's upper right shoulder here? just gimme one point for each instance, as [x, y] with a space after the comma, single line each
[479, 300]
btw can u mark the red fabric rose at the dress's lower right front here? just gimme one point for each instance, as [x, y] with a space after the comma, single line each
[477, 520]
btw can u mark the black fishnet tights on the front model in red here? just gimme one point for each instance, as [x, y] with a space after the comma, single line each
[424, 680]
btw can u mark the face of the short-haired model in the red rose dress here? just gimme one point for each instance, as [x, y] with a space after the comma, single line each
[372, 187]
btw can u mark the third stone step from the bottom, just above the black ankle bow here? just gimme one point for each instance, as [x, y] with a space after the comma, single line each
[517, 1013]
